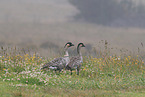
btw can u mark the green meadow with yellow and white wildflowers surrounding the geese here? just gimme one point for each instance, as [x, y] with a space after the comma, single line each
[110, 76]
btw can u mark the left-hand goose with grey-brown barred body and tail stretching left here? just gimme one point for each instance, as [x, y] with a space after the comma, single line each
[59, 63]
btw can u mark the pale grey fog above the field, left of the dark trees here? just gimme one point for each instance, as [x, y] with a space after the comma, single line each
[41, 11]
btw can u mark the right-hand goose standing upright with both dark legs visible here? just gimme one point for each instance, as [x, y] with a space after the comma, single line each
[75, 62]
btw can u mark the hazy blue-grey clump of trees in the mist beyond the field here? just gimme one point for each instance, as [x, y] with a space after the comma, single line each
[110, 12]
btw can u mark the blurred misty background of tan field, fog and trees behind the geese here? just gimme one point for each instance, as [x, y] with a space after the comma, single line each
[46, 25]
